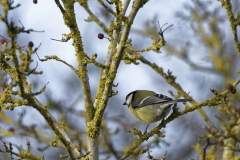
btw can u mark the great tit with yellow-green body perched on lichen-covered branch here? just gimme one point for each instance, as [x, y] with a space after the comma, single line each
[149, 106]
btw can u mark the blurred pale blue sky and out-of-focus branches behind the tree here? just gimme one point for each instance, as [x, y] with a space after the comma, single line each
[200, 52]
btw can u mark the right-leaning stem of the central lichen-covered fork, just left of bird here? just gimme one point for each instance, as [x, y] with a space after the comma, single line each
[108, 76]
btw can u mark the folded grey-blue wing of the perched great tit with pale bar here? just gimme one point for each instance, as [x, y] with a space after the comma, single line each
[158, 98]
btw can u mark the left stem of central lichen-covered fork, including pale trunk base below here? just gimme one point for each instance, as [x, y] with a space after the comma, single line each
[70, 20]
